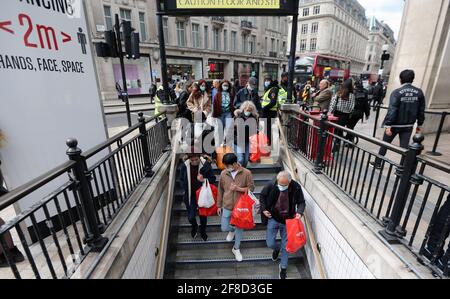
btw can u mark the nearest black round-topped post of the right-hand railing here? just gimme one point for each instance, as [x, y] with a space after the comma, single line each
[394, 231]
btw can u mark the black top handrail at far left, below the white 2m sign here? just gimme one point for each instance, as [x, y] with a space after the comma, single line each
[15, 195]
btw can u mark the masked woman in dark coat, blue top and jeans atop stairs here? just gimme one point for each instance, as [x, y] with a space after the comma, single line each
[223, 104]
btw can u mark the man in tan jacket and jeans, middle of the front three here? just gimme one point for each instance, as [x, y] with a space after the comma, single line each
[235, 181]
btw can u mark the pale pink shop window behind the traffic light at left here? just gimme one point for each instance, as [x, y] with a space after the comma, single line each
[138, 73]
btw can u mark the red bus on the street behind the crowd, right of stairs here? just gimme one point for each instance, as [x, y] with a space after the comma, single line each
[321, 67]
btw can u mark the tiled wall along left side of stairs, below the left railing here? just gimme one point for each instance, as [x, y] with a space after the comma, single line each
[143, 263]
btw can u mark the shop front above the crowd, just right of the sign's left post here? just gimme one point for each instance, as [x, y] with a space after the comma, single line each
[184, 69]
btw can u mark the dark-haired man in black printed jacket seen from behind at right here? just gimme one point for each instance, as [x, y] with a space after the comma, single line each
[407, 106]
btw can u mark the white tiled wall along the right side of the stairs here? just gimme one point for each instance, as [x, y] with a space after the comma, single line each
[339, 259]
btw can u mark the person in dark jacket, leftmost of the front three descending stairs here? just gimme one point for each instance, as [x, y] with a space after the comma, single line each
[192, 174]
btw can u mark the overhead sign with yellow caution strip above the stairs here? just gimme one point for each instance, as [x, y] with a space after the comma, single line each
[228, 7]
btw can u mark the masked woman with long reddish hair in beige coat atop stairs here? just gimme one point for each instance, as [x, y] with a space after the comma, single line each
[199, 101]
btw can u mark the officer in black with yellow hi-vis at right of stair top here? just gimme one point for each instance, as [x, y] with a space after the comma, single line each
[270, 103]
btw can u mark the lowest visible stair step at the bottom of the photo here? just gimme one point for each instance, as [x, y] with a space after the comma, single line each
[260, 270]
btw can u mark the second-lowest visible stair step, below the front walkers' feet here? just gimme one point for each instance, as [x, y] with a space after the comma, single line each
[222, 254]
